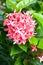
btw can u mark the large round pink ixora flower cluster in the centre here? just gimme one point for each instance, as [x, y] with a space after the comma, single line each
[20, 27]
